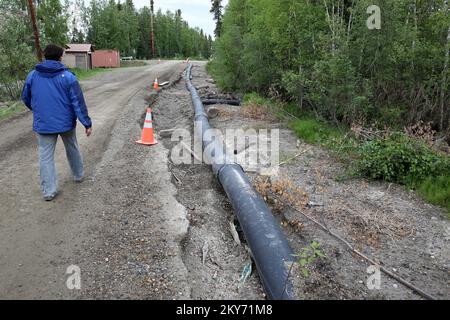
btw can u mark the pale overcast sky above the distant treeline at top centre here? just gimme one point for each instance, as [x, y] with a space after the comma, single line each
[195, 12]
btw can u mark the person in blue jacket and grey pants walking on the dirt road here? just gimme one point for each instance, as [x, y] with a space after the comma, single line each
[54, 95]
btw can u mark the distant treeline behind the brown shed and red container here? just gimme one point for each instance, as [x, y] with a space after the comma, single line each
[110, 24]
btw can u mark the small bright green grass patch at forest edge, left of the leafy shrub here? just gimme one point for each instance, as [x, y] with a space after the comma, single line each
[313, 131]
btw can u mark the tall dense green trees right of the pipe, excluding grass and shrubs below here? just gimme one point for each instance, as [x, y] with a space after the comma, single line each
[325, 56]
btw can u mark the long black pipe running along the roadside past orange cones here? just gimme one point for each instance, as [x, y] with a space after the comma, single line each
[269, 247]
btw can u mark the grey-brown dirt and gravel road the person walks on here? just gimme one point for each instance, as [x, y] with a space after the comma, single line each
[123, 226]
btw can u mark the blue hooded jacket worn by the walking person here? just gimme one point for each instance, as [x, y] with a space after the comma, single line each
[54, 95]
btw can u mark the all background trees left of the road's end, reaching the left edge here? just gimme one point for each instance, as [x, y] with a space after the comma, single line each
[107, 24]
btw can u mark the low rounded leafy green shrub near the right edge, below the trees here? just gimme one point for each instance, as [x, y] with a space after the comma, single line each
[397, 159]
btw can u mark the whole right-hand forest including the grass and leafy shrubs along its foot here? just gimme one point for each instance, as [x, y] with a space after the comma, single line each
[366, 79]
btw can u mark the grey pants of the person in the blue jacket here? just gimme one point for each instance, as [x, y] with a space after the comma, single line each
[47, 144]
